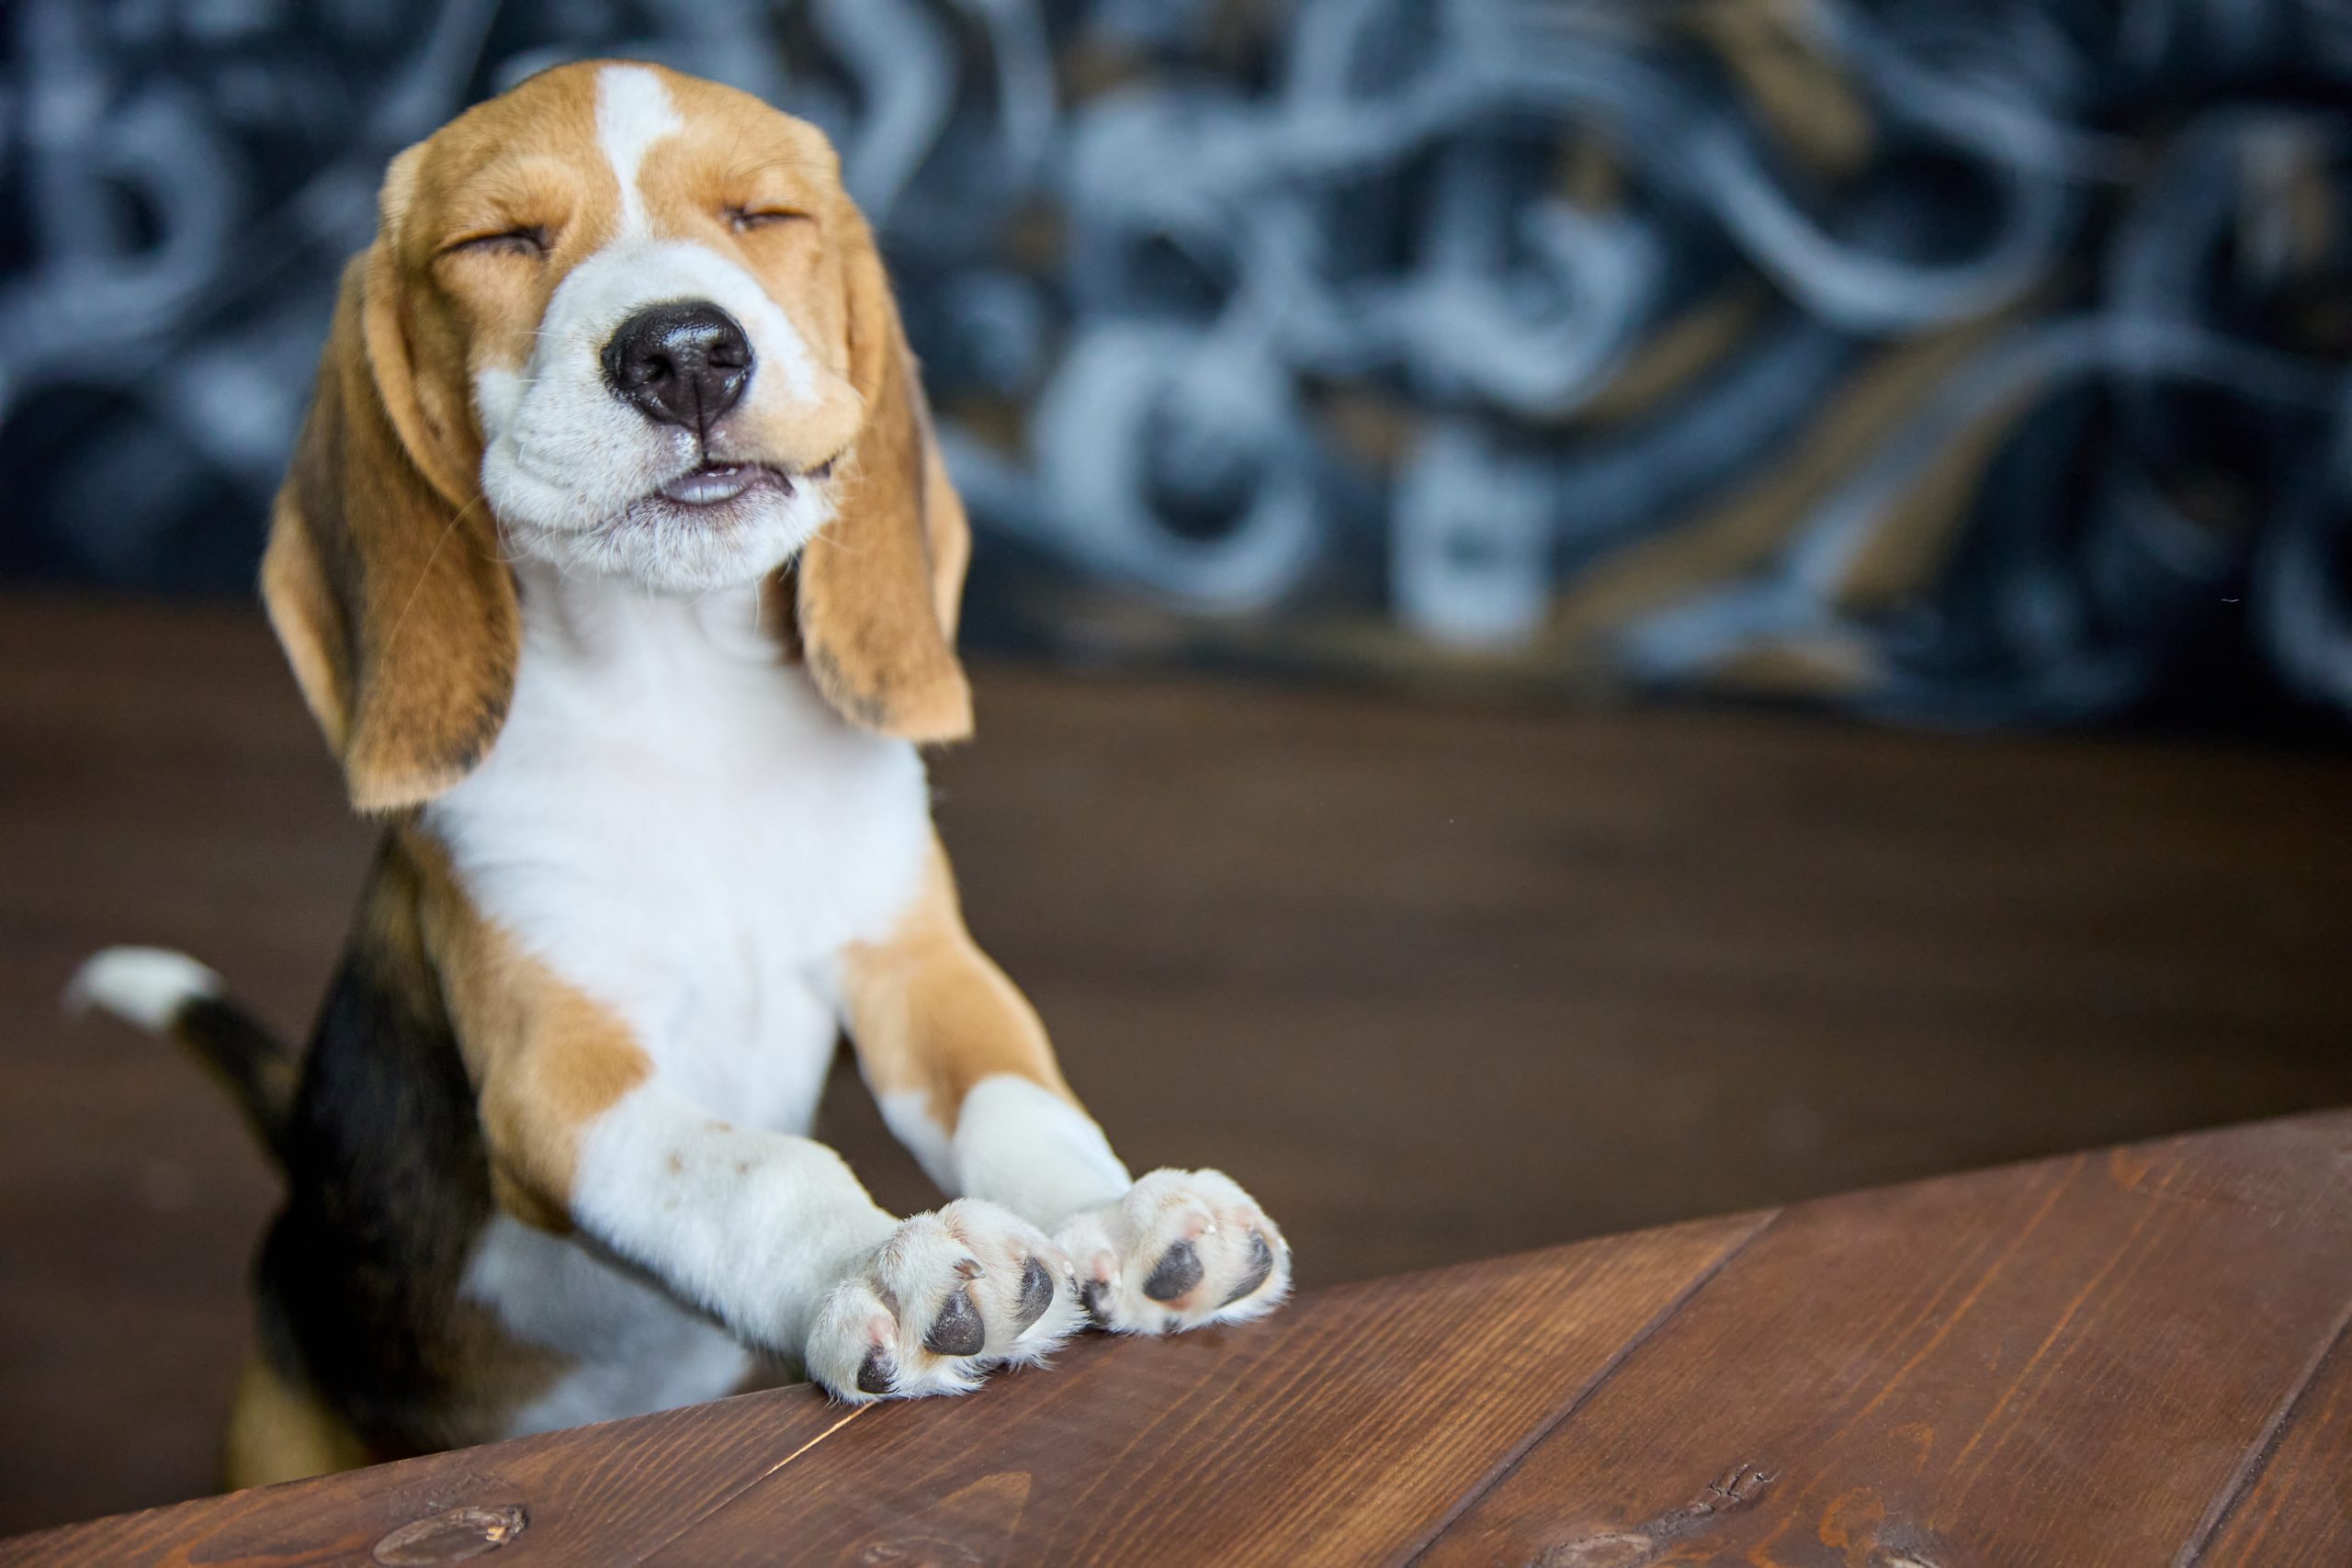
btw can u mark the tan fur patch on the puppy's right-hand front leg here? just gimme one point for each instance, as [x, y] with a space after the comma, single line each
[933, 1014]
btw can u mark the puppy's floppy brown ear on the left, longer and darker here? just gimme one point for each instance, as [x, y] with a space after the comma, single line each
[382, 572]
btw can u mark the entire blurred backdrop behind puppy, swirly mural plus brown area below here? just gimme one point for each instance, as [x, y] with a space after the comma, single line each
[1584, 612]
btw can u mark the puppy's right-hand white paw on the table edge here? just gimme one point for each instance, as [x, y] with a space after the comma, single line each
[1182, 1249]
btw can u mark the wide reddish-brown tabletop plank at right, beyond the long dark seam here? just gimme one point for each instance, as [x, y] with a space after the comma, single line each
[2062, 1365]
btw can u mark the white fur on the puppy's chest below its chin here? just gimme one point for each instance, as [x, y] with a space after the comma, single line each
[679, 826]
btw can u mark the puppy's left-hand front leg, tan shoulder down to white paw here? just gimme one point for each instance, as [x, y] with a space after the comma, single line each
[768, 1233]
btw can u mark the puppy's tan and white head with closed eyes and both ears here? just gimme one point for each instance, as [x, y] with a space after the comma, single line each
[627, 323]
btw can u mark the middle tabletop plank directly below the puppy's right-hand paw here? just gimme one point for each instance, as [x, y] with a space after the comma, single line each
[1344, 1430]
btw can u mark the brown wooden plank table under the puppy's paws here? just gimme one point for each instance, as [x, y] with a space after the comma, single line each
[2120, 1358]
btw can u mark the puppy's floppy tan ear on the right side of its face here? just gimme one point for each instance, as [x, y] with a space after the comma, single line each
[881, 584]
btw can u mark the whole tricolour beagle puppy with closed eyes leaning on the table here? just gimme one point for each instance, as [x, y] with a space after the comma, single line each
[620, 570]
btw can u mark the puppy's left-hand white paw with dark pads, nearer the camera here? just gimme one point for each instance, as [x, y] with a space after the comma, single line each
[940, 1304]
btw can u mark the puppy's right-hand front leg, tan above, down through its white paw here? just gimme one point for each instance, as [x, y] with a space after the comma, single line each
[968, 1080]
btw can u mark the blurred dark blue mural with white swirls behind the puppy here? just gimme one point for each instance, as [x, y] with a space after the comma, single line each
[1958, 361]
